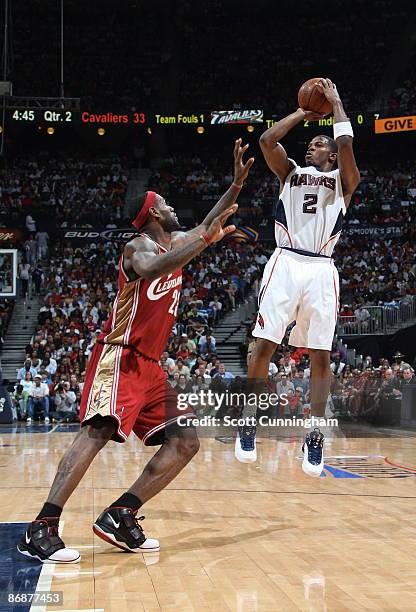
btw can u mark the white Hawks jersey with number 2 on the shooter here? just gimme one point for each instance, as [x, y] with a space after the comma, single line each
[309, 214]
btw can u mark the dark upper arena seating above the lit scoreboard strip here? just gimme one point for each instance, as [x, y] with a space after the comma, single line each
[113, 60]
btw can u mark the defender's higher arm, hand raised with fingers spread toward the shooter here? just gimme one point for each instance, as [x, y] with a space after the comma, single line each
[241, 171]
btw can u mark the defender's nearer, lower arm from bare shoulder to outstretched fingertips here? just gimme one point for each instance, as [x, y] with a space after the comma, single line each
[141, 257]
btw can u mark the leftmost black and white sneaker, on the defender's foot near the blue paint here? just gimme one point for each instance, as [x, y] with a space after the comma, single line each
[41, 542]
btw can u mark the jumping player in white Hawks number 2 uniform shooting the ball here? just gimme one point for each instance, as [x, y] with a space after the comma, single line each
[300, 281]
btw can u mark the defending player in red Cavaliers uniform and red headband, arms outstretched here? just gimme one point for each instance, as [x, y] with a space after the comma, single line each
[125, 387]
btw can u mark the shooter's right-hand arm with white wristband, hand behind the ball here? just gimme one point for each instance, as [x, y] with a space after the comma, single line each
[350, 175]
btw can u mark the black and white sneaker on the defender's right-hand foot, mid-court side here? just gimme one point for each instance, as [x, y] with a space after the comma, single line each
[121, 528]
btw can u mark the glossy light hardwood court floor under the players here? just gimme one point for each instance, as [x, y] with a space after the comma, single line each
[245, 538]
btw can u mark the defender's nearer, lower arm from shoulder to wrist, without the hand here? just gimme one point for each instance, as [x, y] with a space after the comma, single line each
[141, 257]
